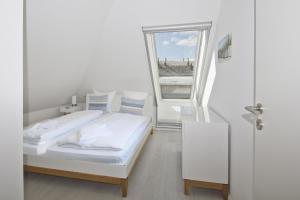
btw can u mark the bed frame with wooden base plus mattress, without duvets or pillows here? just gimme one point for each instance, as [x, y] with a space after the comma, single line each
[106, 166]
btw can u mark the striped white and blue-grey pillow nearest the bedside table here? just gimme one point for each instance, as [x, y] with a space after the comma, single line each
[100, 101]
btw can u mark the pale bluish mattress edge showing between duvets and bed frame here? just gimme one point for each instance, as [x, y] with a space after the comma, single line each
[104, 156]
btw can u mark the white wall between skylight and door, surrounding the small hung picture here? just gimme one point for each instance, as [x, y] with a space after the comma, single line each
[234, 89]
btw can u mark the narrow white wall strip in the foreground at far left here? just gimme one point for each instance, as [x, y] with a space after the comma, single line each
[11, 50]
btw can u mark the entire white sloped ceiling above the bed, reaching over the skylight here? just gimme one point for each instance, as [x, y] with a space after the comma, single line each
[75, 45]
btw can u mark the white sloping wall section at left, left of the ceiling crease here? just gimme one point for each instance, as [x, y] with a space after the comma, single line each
[61, 37]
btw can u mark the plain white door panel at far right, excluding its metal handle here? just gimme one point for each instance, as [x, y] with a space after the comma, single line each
[277, 146]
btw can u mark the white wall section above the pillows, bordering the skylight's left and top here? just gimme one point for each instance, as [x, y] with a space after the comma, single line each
[120, 61]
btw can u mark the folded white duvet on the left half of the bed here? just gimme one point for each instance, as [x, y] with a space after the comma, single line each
[40, 133]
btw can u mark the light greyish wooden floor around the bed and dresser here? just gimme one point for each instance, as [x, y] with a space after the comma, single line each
[156, 176]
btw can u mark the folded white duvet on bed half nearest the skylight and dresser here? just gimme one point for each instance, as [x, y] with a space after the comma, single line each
[112, 133]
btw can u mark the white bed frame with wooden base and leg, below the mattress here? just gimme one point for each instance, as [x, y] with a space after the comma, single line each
[110, 173]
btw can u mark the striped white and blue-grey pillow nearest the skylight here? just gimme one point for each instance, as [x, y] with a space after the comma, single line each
[133, 102]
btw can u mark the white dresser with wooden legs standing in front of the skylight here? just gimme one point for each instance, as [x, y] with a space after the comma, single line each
[204, 151]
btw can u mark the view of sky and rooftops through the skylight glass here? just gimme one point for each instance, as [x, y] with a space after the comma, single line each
[176, 55]
